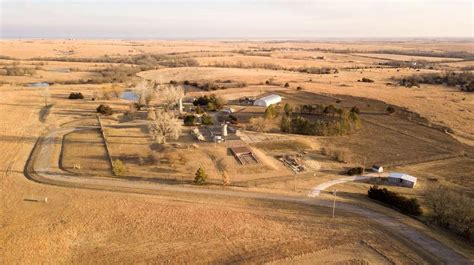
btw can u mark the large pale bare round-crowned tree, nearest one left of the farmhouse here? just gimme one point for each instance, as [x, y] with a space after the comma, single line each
[165, 126]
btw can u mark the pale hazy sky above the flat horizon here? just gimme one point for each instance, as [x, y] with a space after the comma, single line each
[231, 19]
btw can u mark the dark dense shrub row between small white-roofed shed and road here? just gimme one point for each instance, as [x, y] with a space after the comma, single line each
[402, 203]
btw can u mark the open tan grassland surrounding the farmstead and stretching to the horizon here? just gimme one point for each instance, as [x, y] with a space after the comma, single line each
[430, 135]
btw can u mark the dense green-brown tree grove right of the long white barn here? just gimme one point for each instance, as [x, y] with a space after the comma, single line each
[333, 121]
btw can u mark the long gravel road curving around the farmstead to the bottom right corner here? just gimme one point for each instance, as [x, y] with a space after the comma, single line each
[40, 169]
